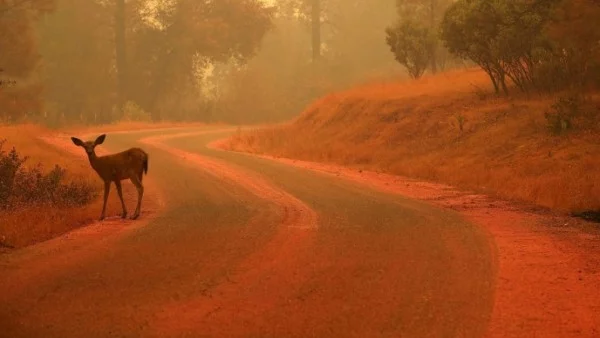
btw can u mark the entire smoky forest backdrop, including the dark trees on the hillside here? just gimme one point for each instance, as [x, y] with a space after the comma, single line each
[247, 61]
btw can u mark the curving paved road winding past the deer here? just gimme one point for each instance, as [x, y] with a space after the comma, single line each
[247, 247]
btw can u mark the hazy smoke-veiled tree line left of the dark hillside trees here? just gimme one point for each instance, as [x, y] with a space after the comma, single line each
[100, 61]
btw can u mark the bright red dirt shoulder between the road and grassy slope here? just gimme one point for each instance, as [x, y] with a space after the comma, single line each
[548, 265]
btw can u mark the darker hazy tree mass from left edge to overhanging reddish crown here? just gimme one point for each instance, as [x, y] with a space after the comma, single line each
[83, 61]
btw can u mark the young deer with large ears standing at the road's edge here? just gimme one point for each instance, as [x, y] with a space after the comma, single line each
[130, 164]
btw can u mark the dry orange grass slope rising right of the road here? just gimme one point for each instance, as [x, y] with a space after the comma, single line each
[413, 129]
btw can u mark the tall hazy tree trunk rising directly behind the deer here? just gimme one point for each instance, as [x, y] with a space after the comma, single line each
[121, 55]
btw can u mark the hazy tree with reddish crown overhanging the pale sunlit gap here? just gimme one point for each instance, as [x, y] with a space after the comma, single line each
[186, 35]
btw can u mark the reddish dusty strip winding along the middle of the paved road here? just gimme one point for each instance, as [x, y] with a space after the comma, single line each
[255, 286]
